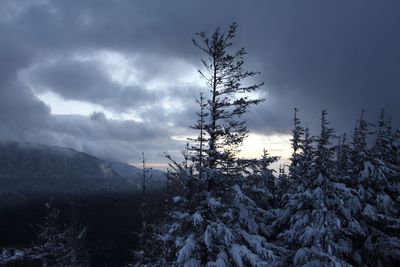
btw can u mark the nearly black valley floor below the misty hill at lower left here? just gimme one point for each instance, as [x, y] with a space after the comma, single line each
[111, 225]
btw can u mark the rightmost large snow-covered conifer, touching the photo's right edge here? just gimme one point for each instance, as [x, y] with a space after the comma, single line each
[379, 192]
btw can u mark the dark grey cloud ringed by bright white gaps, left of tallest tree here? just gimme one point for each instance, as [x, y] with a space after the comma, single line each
[87, 81]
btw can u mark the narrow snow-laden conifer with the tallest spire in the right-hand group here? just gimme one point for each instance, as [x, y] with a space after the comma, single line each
[324, 240]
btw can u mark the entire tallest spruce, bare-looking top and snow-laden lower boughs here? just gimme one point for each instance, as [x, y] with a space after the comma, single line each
[214, 221]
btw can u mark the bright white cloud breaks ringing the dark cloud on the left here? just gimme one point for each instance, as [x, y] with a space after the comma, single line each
[125, 70]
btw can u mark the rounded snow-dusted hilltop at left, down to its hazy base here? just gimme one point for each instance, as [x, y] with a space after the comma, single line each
[28, 160]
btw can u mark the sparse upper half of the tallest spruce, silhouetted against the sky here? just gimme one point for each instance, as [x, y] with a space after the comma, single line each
[228, 98]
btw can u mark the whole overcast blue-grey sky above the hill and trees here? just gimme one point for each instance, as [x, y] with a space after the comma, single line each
[114, 78]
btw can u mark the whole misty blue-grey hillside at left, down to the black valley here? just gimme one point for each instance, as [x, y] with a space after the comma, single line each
[29, 170]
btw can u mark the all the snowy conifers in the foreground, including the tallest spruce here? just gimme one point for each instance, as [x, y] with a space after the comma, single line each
[337, 203]
